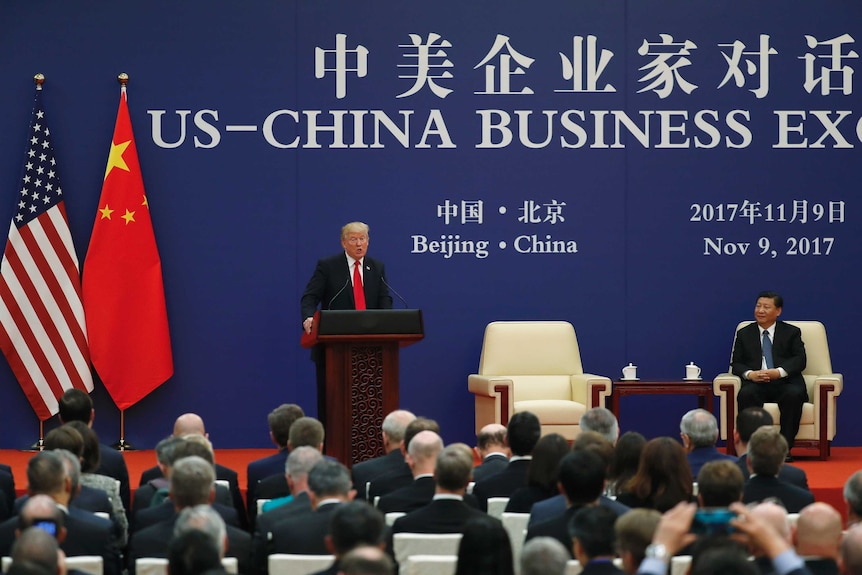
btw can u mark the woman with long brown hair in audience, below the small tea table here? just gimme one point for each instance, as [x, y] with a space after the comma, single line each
[663, 478]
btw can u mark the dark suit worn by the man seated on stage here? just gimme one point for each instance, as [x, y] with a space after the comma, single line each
[788, 352]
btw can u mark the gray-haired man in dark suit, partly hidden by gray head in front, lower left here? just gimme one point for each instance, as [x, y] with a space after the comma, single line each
[192, 483]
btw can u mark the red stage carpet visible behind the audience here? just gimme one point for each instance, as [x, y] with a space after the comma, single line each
[826, 478]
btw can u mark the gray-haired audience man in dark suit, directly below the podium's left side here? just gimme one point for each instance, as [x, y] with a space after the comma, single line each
[329, 486]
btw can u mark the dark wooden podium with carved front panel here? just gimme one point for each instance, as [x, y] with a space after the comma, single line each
[362, 349]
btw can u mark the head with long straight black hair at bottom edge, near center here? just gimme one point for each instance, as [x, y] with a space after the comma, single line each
[485, 548]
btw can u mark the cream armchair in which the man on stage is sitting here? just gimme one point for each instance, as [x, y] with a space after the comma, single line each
[817, 426]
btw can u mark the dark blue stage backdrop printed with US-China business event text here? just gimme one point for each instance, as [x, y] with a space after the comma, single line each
[676, 157]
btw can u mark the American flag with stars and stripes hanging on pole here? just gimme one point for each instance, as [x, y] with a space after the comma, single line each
[42, 330]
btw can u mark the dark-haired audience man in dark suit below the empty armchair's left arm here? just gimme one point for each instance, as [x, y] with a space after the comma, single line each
[522, 433]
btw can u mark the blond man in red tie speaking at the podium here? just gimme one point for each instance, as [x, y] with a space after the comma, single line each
[348, 280]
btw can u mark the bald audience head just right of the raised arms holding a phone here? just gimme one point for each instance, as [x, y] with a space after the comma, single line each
[817, 537]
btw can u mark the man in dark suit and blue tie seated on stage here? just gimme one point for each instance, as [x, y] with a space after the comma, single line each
[769, 357]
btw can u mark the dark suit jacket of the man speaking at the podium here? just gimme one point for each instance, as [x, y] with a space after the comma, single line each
[332, 274]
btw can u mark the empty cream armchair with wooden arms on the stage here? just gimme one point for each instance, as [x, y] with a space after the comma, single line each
[535, 366]
